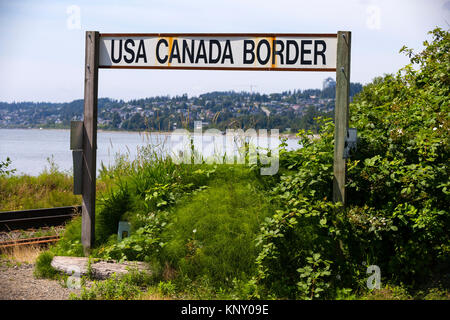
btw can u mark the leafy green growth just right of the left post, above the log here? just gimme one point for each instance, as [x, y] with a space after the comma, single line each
[153, 187]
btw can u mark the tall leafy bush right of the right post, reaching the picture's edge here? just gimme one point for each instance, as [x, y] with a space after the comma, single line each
[401, 169]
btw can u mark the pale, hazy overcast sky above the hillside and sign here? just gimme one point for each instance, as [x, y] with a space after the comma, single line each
[42, 42]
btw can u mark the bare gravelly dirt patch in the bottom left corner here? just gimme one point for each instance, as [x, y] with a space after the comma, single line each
[18, 283]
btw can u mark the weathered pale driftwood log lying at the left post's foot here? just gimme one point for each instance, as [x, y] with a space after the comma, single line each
[99, 269]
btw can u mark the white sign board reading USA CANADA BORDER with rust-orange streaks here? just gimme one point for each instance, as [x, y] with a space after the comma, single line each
[270, 52]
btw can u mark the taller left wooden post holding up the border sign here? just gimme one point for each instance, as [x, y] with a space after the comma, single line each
[90, 140]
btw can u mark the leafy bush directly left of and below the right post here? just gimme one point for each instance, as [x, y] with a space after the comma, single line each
[302, 242]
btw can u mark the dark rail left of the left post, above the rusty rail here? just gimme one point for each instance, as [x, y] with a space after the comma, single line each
[37, 218]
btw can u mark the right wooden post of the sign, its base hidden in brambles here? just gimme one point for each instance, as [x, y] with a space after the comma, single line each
[341, 113]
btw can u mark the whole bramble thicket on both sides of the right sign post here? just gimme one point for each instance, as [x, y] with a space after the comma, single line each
[396, 214]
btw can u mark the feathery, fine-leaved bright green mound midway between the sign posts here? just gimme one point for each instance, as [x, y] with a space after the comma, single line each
[213, 233]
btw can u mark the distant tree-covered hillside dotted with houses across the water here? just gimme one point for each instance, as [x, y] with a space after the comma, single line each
[286, 110]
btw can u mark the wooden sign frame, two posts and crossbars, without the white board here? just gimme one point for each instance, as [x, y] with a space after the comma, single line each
[92, 54]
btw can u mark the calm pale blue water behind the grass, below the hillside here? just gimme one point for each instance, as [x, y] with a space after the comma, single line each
[31, 149]
